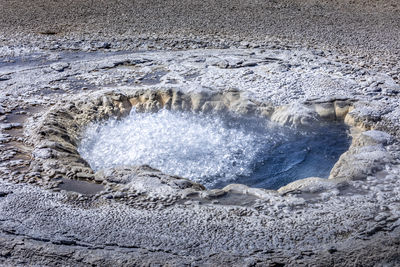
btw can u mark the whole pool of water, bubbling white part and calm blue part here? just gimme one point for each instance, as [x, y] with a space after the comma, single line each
[215, 150]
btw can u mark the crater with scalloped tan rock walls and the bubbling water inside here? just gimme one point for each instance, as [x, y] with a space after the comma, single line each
[195, 140]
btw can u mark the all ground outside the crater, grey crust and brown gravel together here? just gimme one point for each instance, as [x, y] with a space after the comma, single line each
[58, 55]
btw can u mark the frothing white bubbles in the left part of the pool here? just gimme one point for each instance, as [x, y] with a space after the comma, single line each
[203, 148]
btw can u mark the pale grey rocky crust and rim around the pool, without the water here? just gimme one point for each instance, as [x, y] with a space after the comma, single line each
[352, 219]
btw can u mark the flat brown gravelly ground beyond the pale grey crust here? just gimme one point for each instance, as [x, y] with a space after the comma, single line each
[358, 24]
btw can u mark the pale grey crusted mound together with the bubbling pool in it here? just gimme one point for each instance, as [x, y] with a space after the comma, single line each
[247, 118]
